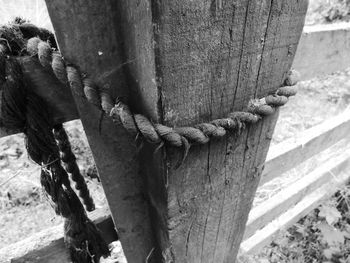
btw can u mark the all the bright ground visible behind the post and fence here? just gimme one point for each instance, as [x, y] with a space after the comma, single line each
[24, 209]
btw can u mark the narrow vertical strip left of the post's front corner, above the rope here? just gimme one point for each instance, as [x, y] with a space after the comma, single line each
[135, 20]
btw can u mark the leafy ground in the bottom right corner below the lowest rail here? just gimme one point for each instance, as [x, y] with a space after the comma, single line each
[321, 236]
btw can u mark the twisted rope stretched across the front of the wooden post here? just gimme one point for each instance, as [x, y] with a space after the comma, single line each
[138, 124]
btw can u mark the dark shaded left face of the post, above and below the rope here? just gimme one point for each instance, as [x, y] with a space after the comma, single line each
[87, 33]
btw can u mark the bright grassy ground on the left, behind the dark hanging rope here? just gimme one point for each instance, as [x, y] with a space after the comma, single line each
[24, 208]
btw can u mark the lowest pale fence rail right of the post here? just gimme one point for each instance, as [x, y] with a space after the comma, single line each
[333, 174]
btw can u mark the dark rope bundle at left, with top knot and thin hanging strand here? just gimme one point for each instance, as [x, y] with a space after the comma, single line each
[47, 144]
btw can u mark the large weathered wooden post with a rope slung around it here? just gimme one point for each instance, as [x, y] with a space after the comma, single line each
[180, 62]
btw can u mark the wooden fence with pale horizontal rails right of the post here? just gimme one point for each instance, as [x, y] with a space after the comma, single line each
[323, 49]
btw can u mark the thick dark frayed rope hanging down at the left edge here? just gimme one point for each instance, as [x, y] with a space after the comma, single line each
[23, 110]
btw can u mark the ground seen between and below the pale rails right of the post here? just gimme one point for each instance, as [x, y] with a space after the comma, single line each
[324, 234]
